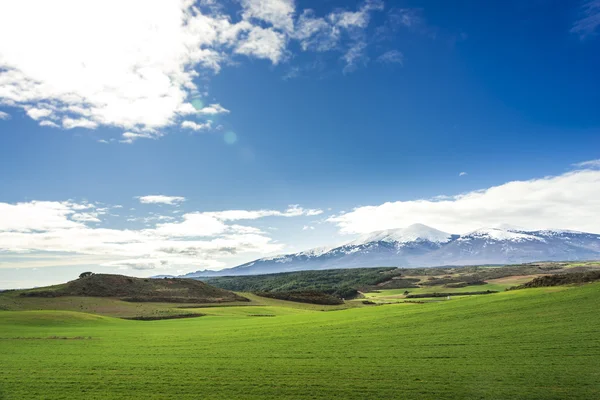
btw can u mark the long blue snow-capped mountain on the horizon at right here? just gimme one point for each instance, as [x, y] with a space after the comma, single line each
[422, 246]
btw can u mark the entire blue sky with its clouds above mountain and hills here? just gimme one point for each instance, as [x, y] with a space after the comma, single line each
[319, 119]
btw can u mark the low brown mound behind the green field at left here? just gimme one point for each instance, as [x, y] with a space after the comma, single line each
[137, 290]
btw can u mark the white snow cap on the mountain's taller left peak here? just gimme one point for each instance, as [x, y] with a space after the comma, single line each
[411, 233]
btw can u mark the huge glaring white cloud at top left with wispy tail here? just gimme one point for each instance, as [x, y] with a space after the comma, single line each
[66, 69]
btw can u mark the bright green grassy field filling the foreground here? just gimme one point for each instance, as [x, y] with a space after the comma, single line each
[527, 344]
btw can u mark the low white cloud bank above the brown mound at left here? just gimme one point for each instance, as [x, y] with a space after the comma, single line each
[196, 240]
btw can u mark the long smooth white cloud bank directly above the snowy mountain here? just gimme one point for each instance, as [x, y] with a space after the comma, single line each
[568, 201]
